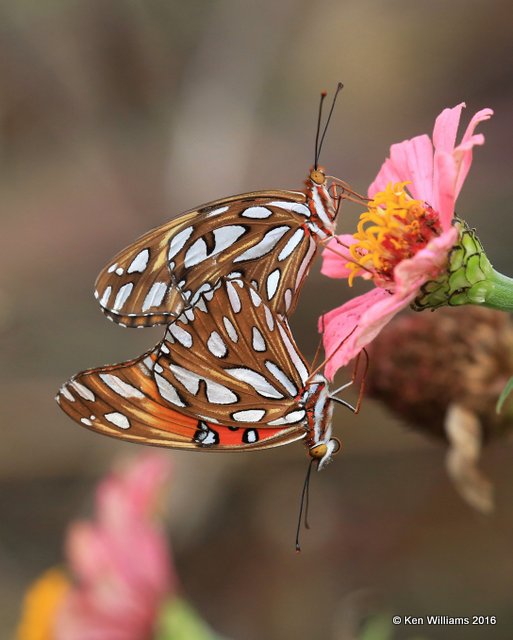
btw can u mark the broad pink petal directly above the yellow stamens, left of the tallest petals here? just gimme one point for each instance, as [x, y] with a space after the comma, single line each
[412, 161]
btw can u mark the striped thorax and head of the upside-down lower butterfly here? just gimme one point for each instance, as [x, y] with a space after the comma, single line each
[319, 410]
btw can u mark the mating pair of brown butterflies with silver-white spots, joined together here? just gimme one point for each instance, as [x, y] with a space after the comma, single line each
[227, 375]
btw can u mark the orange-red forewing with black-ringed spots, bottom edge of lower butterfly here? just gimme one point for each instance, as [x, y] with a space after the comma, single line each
[123, 401]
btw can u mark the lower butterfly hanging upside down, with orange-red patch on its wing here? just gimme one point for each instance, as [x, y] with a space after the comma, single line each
[227, 376]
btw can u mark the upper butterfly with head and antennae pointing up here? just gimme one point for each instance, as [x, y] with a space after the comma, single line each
[268, 238]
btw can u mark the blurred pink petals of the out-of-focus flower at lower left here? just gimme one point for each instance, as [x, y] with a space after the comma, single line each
[120, 562]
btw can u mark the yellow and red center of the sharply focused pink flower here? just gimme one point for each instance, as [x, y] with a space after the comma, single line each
[394, 228]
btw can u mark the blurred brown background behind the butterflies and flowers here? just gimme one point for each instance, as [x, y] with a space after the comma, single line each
[117, 115]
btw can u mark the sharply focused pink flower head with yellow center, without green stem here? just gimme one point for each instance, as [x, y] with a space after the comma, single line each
[410, 237]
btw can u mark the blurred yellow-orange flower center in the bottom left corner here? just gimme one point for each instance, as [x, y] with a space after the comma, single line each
[40, 606]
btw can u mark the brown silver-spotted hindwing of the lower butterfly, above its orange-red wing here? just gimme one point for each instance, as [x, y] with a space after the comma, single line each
[231, 360]
